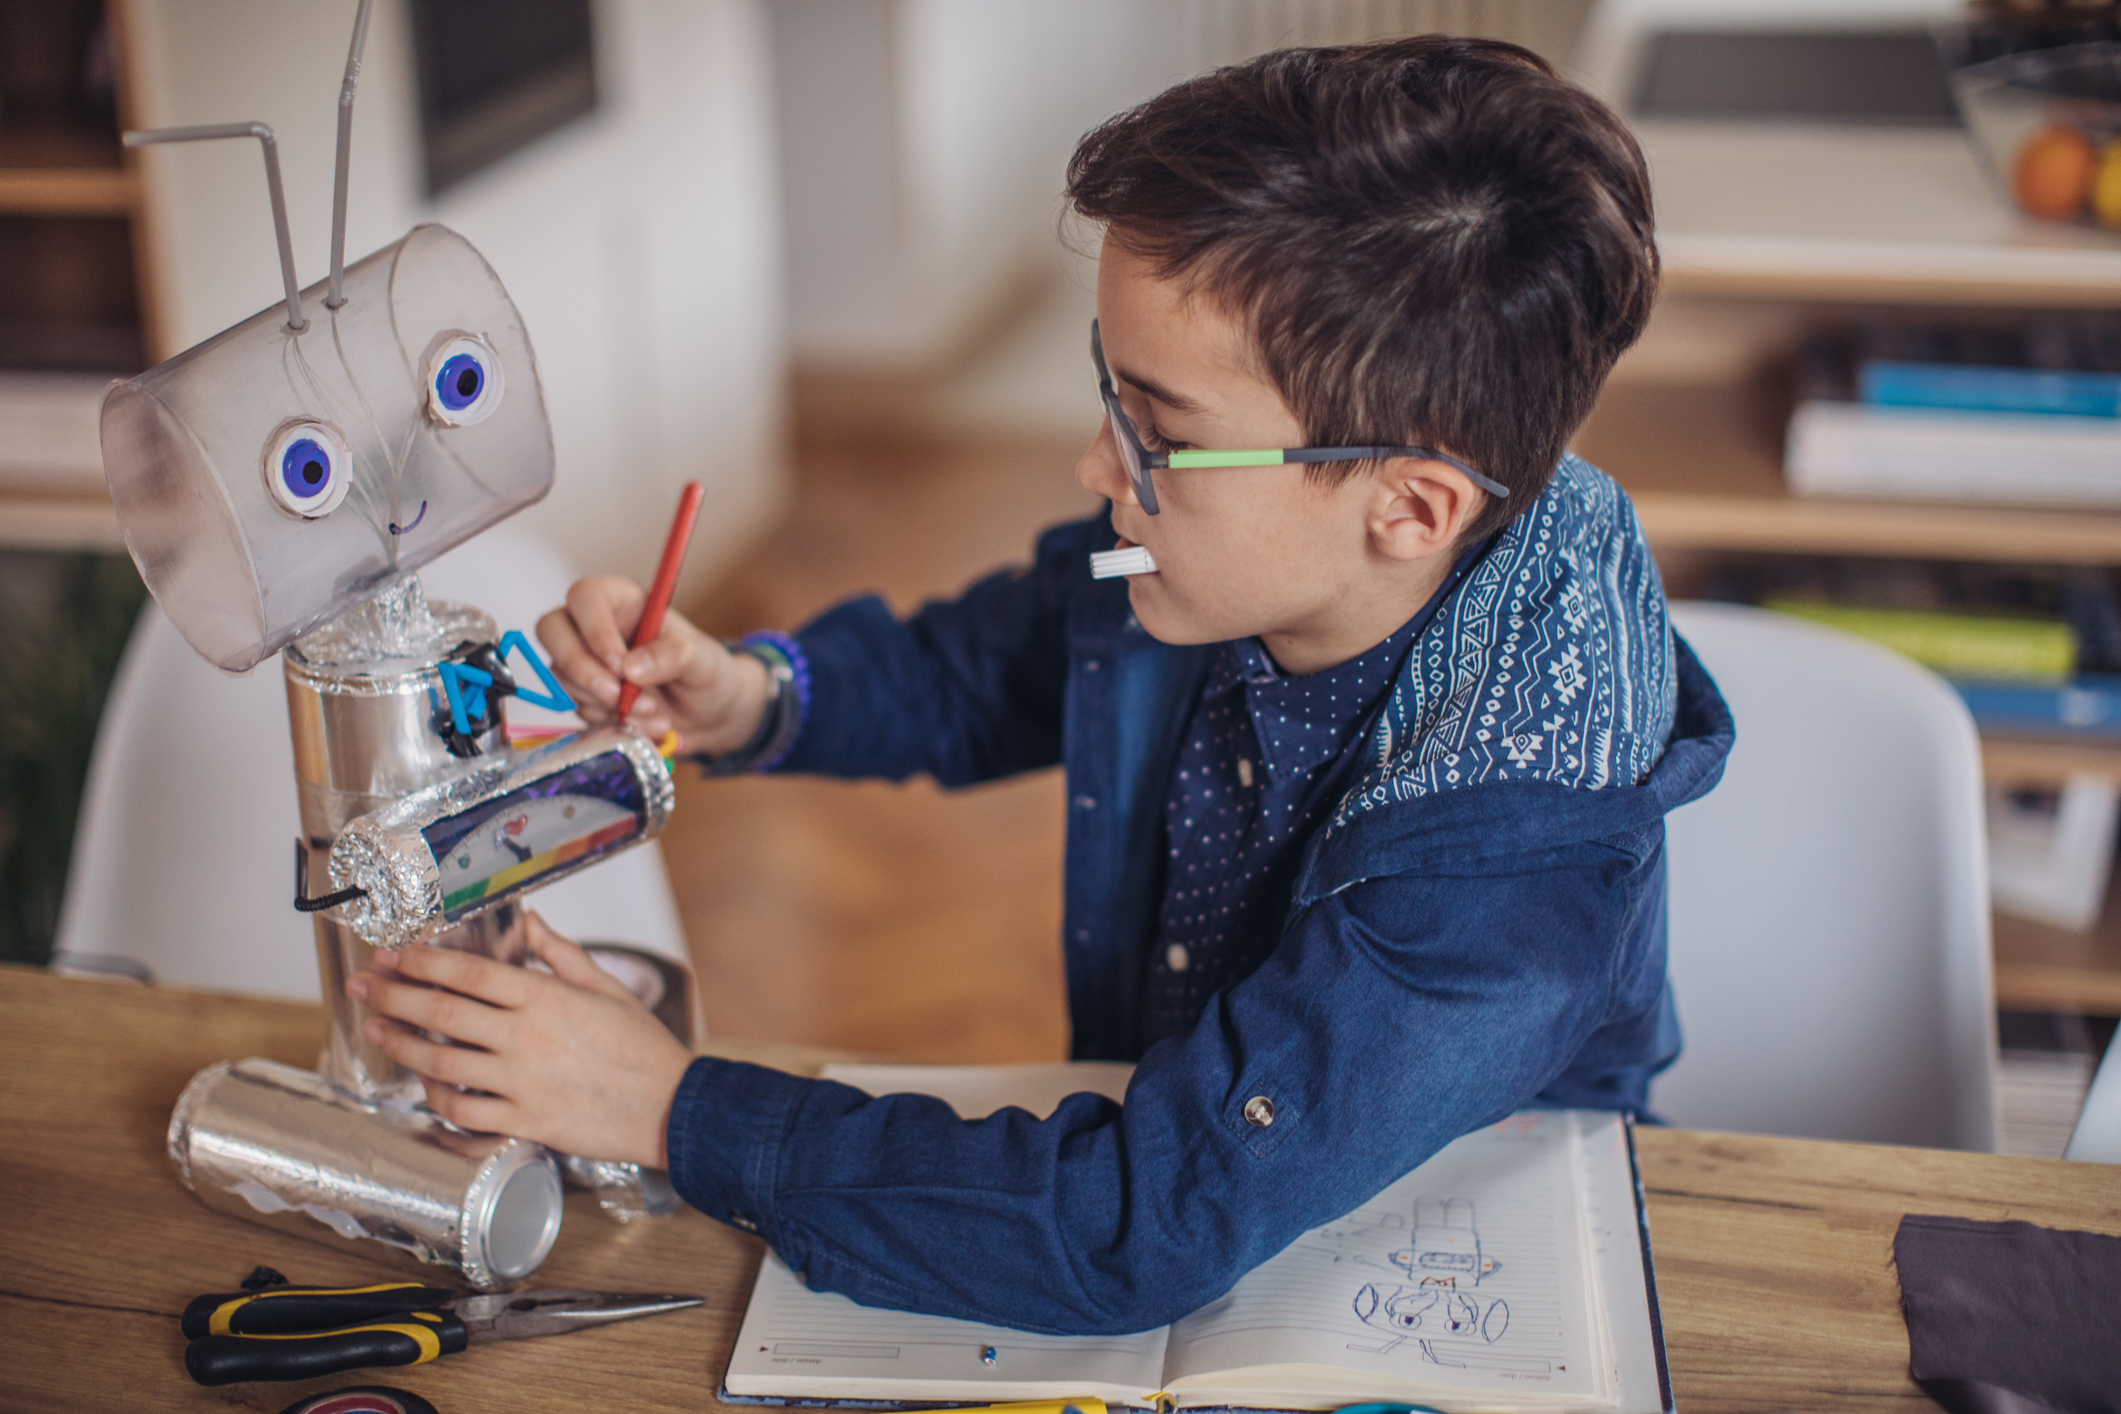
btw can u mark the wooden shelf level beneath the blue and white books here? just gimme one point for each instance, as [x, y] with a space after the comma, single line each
[1704, 470]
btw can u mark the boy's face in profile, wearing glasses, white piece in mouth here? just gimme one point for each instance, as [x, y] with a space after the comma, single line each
[1240, 550]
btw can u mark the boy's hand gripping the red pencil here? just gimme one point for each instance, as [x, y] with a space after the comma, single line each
[688, 682]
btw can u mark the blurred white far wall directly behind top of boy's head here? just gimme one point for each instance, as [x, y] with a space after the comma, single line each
[926, 141]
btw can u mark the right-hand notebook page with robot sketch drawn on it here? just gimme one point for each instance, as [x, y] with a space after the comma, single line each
[1467, 1275]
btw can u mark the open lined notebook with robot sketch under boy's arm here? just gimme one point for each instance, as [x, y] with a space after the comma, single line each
[1509, 1273]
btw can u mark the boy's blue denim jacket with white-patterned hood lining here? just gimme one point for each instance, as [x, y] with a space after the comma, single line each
[1477, 927]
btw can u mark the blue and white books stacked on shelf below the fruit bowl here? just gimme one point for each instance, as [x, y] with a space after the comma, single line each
[2001, 417]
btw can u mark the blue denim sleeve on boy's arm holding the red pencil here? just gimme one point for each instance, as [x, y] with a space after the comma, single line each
[964, 690]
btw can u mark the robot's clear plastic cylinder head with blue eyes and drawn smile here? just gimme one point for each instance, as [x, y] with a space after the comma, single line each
[273, 478]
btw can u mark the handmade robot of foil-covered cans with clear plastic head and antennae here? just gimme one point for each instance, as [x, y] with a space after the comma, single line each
[279, 489]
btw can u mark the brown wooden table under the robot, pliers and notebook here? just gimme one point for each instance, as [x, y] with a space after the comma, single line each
[1772, 1254]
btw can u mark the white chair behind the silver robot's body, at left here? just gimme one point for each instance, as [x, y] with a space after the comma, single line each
[181, 860]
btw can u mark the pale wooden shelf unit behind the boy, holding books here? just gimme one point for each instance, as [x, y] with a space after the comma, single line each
[1766, 236]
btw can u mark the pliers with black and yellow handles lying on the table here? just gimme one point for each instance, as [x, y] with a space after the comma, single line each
[302, 1332]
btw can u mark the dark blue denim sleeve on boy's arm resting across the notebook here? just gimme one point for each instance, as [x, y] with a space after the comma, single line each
[1392, 1019]
